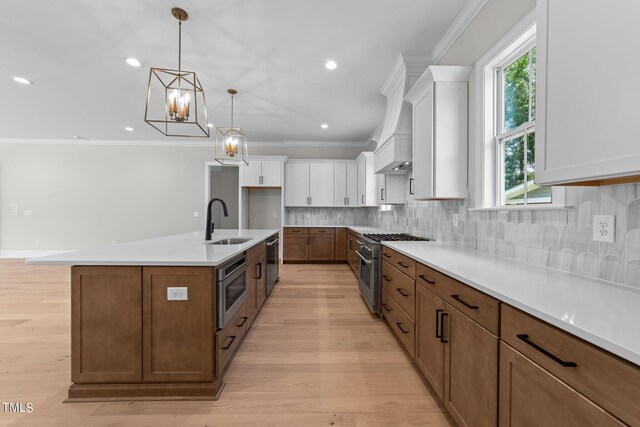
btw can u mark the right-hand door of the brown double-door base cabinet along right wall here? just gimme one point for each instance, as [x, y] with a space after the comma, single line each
[470, 370]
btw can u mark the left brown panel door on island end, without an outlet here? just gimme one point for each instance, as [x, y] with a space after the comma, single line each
[106, 324]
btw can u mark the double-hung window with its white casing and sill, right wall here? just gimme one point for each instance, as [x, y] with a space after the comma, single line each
[506, 104]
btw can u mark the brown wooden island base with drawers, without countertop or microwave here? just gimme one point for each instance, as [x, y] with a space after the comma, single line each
[129, 341]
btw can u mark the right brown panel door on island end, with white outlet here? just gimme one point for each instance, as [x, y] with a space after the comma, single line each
[178, 324]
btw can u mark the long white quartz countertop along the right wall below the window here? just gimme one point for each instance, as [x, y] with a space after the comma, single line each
[602, 313]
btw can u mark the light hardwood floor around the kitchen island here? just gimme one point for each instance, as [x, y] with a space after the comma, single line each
[314, 356]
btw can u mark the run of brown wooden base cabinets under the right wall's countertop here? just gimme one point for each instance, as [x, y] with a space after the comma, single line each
[492, 364]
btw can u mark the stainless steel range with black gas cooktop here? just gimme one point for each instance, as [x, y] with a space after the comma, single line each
[370, 266]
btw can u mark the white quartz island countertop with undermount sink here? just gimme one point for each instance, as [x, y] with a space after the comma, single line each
[187, 249]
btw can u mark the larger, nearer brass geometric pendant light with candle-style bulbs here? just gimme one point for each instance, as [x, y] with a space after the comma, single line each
[175, 99]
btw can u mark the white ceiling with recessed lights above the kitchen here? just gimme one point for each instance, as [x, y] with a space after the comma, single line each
[272, 51]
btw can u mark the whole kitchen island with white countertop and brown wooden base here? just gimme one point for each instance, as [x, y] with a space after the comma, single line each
[146, 320]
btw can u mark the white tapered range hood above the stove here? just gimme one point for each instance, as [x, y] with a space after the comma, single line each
[393, 153]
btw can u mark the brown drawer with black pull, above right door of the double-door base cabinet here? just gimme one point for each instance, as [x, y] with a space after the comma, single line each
[480, 307]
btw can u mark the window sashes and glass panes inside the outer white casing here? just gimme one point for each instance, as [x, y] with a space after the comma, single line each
[516, 133]
